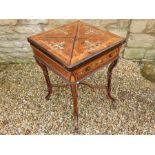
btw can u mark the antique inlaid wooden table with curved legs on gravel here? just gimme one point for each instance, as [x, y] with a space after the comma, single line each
[74, 52]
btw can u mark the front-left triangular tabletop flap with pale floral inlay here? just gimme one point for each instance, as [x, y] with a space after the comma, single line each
[61, 48]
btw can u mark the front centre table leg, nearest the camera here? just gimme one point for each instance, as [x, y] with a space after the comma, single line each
[75, 104]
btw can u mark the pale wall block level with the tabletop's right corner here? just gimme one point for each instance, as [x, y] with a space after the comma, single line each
[140, 40]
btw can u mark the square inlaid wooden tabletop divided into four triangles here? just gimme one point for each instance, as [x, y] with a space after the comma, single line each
[75, 43]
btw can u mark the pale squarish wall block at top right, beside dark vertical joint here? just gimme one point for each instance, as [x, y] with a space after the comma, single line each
[138, 26]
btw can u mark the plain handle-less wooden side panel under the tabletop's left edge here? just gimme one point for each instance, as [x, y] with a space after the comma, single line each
[51, 64]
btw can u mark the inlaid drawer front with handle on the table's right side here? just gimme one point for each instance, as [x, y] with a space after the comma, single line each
[97, 63]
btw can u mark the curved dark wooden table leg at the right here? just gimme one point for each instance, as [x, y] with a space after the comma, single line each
[109, 74]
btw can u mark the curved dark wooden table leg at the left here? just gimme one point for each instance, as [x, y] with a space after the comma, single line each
[45, 71]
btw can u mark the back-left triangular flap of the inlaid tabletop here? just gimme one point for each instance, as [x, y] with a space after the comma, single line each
[66, 31]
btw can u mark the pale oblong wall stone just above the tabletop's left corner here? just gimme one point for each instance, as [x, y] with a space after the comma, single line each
[30, 29]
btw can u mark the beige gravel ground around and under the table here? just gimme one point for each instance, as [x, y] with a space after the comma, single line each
[23, 109]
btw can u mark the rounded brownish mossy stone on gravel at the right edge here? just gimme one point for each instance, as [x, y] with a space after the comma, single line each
[148, 71]
